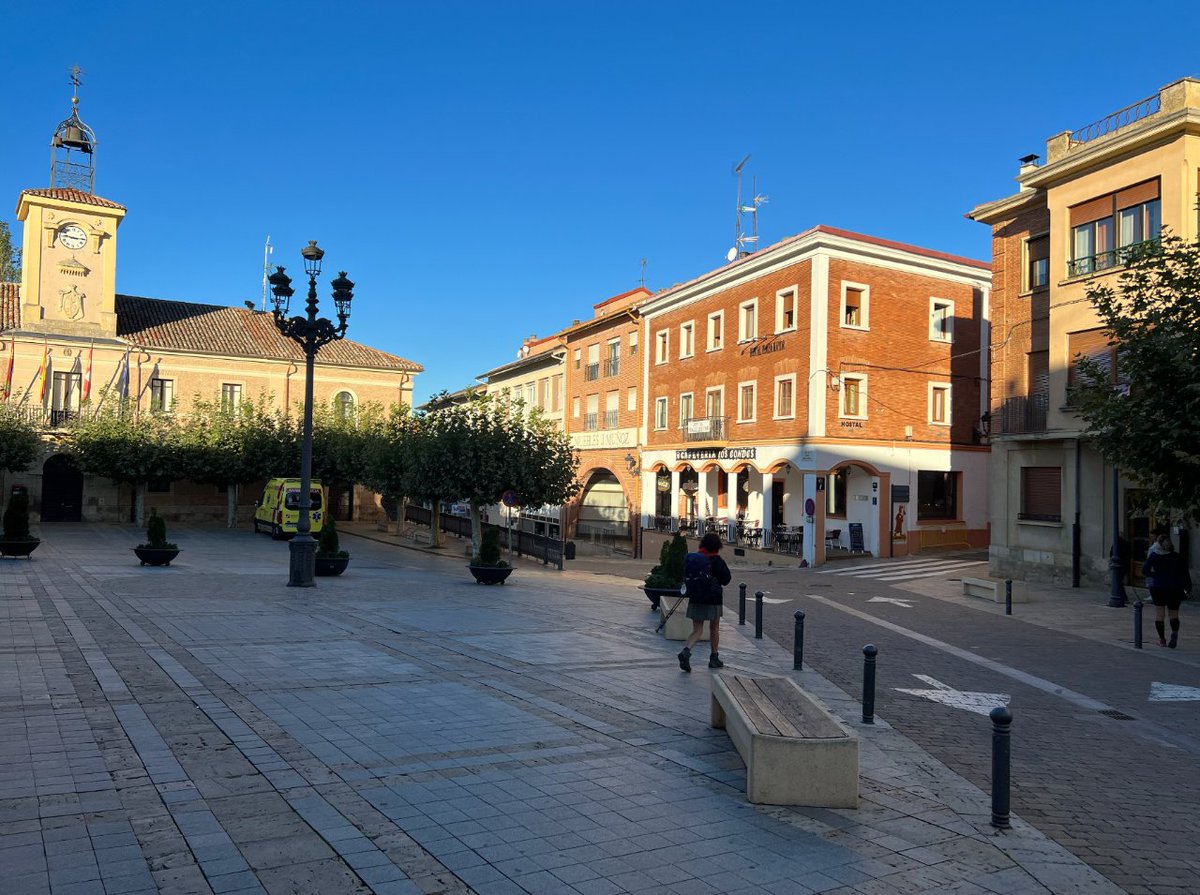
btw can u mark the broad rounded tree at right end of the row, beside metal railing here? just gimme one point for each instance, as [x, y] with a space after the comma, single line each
[479, 450]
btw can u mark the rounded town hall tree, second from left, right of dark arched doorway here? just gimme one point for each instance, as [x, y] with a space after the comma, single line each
[118, 443]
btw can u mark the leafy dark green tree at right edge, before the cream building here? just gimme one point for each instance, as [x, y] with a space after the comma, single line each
[1145, 418]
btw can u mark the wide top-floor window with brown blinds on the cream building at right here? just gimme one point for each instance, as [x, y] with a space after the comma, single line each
[1106, 230]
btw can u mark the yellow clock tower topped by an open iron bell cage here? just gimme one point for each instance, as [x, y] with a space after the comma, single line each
[69, 262]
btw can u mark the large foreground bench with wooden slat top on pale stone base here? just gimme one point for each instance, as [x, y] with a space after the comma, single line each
[796, 753]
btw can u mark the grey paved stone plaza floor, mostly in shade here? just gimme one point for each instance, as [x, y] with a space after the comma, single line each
[401, 730]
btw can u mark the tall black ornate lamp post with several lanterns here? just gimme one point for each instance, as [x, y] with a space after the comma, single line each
[310, 333]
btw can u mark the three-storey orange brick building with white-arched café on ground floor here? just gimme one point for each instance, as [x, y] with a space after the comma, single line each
[832, 382]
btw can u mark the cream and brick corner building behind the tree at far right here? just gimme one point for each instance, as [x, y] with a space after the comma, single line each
[1102, 190]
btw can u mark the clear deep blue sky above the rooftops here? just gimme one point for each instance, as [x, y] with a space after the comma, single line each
[488, 171]
